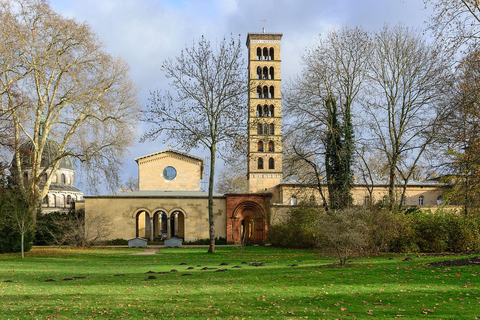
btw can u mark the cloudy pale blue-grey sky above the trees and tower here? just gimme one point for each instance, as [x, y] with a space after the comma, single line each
[146, 32]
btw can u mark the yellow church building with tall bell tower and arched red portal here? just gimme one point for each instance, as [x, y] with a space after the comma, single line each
[170, 202]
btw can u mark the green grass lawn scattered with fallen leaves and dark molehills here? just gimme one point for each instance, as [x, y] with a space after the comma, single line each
[110, 283]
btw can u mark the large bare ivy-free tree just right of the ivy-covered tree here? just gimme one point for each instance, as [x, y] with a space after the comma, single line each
[408, 80]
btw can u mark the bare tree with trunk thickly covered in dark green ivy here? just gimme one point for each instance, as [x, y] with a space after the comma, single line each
[321, 101]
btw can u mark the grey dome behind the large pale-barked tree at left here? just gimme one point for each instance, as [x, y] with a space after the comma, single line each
[50, 153]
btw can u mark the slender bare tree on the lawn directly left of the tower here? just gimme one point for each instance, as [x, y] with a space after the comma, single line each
[207, 107]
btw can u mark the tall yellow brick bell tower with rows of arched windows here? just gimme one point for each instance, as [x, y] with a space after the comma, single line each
[265, 116]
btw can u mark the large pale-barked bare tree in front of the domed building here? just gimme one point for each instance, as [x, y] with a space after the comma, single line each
[57, 82]
